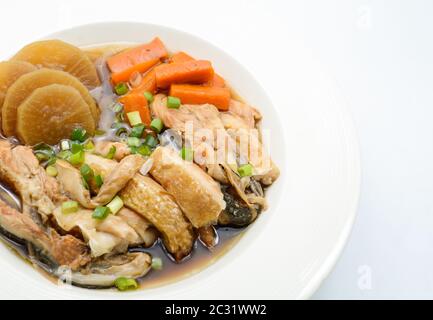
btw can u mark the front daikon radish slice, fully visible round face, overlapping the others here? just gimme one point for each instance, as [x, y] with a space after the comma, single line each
[51, 113]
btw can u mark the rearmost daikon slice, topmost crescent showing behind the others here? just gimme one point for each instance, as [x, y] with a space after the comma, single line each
[59, 55]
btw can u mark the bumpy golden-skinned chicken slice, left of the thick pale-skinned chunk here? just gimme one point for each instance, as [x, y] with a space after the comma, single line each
[149, 199]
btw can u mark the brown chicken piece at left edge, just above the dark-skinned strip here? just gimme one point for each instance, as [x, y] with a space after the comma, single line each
[63, 250]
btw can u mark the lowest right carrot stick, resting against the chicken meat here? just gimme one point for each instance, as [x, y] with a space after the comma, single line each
[193, 94]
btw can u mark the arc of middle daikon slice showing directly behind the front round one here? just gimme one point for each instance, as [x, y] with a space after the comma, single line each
[27, 84]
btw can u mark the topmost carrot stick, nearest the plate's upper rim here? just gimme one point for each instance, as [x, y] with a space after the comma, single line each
[129, 58]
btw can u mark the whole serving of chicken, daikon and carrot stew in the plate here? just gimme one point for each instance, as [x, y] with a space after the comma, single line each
[122, 165]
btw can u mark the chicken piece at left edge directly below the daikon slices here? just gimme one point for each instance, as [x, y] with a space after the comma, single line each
[20, 169]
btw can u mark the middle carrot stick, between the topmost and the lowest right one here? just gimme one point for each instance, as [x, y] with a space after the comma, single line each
[195, 71]
